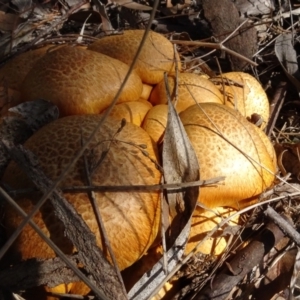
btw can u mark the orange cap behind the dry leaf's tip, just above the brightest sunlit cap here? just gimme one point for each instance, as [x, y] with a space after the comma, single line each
[192, 88]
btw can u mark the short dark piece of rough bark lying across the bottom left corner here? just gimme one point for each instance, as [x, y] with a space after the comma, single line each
[51, 272]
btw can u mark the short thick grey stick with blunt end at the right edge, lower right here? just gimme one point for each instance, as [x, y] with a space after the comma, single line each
[284, 225]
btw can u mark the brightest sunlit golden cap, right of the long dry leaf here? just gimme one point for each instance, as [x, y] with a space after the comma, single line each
[226, 144]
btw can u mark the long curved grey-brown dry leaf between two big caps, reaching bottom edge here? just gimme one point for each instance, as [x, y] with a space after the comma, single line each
[180, 165]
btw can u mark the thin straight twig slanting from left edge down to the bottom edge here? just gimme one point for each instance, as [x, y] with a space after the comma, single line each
[62, 256]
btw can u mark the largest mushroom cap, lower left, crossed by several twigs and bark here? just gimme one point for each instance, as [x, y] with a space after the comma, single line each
[131, 219]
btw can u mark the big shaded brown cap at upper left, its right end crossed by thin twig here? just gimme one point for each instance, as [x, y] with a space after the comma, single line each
[79, 81]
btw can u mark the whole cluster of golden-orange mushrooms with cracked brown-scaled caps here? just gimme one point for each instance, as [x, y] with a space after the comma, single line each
[83, 83]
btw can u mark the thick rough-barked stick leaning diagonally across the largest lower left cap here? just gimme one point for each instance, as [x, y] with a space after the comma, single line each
[75, 228]
